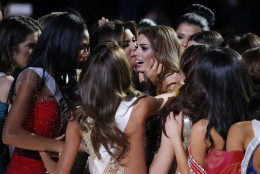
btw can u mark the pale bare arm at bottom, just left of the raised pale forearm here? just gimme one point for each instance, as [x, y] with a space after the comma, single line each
[164, 158]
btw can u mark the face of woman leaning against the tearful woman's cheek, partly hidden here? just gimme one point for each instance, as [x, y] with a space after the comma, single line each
[130, 46]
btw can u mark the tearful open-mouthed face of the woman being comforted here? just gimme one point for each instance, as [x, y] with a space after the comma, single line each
[145, 53]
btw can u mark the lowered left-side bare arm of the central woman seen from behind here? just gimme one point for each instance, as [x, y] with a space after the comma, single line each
[69, 152]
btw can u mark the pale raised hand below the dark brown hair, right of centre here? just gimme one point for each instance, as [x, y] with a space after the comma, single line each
[173, 127]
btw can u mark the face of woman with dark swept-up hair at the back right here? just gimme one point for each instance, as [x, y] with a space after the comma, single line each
[185, 31]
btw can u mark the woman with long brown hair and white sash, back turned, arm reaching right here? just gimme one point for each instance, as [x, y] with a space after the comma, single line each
[112, 116]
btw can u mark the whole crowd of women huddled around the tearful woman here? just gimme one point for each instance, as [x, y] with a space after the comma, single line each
[133, 97]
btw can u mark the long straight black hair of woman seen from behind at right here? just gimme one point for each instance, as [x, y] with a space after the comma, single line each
[228, 88]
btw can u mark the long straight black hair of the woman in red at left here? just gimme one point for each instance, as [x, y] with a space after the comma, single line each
[57, 51]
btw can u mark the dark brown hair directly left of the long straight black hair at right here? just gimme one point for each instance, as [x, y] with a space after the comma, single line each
[191, 96]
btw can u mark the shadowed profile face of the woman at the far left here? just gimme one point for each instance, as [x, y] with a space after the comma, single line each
[22, 53]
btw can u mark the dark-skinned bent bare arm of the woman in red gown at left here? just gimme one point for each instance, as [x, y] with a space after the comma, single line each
[14, 134]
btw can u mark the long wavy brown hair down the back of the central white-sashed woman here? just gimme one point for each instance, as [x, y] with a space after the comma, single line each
[104, 82]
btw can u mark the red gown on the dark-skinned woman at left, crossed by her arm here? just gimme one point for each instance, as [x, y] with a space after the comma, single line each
[43, 119]
